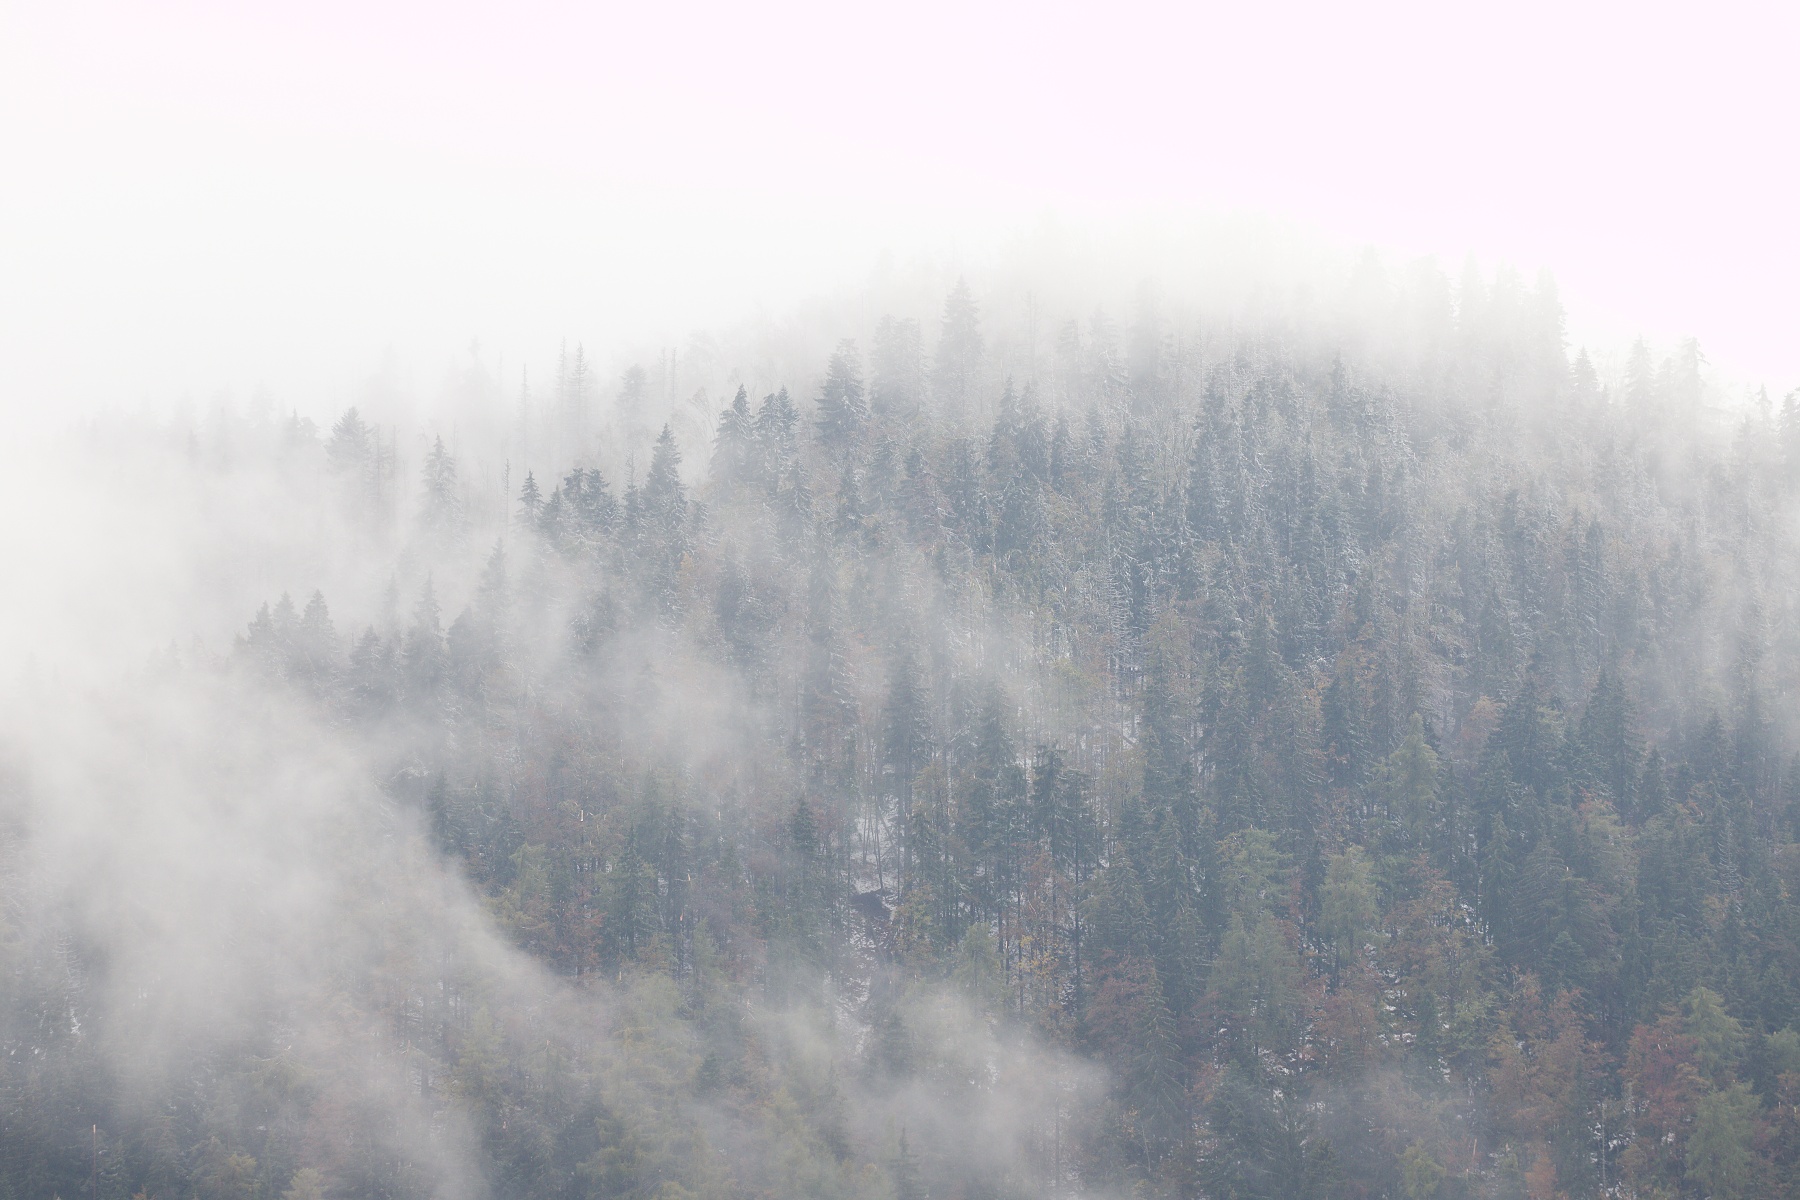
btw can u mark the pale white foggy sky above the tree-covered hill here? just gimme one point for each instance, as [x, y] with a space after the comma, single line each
[206, 197]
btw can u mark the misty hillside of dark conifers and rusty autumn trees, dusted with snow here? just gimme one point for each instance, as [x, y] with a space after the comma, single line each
[1254, 762]
